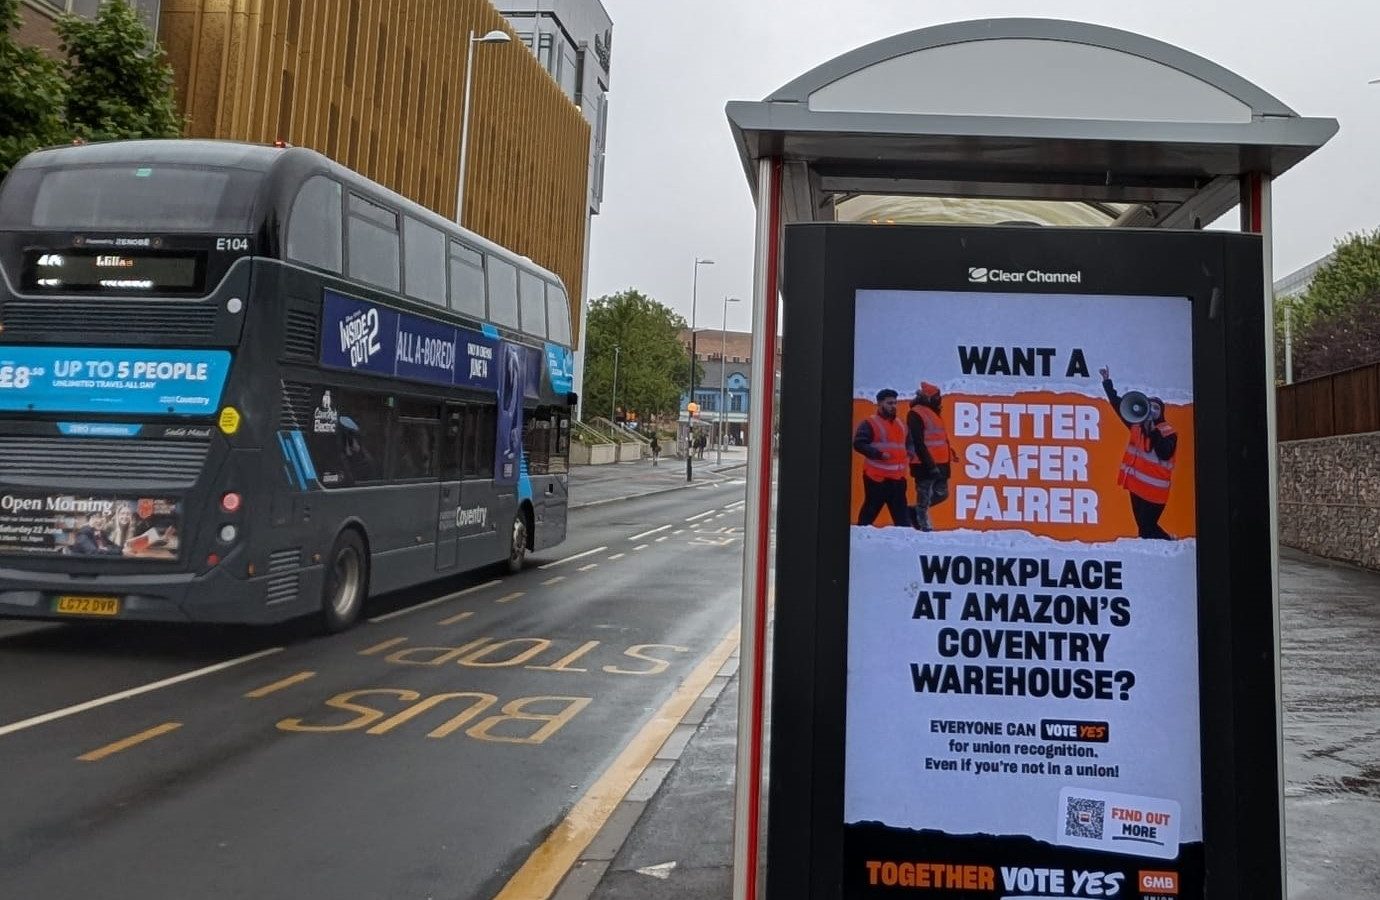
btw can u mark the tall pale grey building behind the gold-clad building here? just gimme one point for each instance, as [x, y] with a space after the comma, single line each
[573, 39]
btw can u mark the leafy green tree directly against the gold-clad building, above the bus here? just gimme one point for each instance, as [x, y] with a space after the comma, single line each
[119, 82]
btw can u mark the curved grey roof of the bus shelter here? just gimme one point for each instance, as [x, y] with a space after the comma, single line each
[1029, 110]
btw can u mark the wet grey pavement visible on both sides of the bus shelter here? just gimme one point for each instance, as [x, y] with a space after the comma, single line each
[673, 836]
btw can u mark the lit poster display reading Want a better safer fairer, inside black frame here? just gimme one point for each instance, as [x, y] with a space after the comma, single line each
[1022, 703]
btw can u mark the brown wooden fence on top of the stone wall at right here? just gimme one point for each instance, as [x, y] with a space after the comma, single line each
[1342, 404]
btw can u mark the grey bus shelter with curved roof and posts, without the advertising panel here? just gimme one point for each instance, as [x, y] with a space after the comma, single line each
[1030, 122]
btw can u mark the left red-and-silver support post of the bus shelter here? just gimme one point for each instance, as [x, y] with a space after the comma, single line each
[747, 819]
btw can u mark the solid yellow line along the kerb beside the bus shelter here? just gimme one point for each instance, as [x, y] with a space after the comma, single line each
[544, 870]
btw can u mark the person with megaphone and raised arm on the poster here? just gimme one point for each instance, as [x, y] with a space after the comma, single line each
[1149, 463]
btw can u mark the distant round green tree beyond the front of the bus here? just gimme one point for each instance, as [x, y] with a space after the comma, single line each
[653, 365]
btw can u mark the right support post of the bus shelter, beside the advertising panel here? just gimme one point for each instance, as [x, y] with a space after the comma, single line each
[1256, 217]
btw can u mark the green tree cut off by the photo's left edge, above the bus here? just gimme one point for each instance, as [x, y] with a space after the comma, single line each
[32, 95]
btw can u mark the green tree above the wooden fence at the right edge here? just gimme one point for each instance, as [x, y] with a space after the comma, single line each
[1337, 322]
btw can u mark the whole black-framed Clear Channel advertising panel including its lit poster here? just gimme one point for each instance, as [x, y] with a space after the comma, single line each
[1023, 644]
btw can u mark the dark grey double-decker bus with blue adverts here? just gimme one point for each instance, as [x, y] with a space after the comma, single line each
[242, 384]
